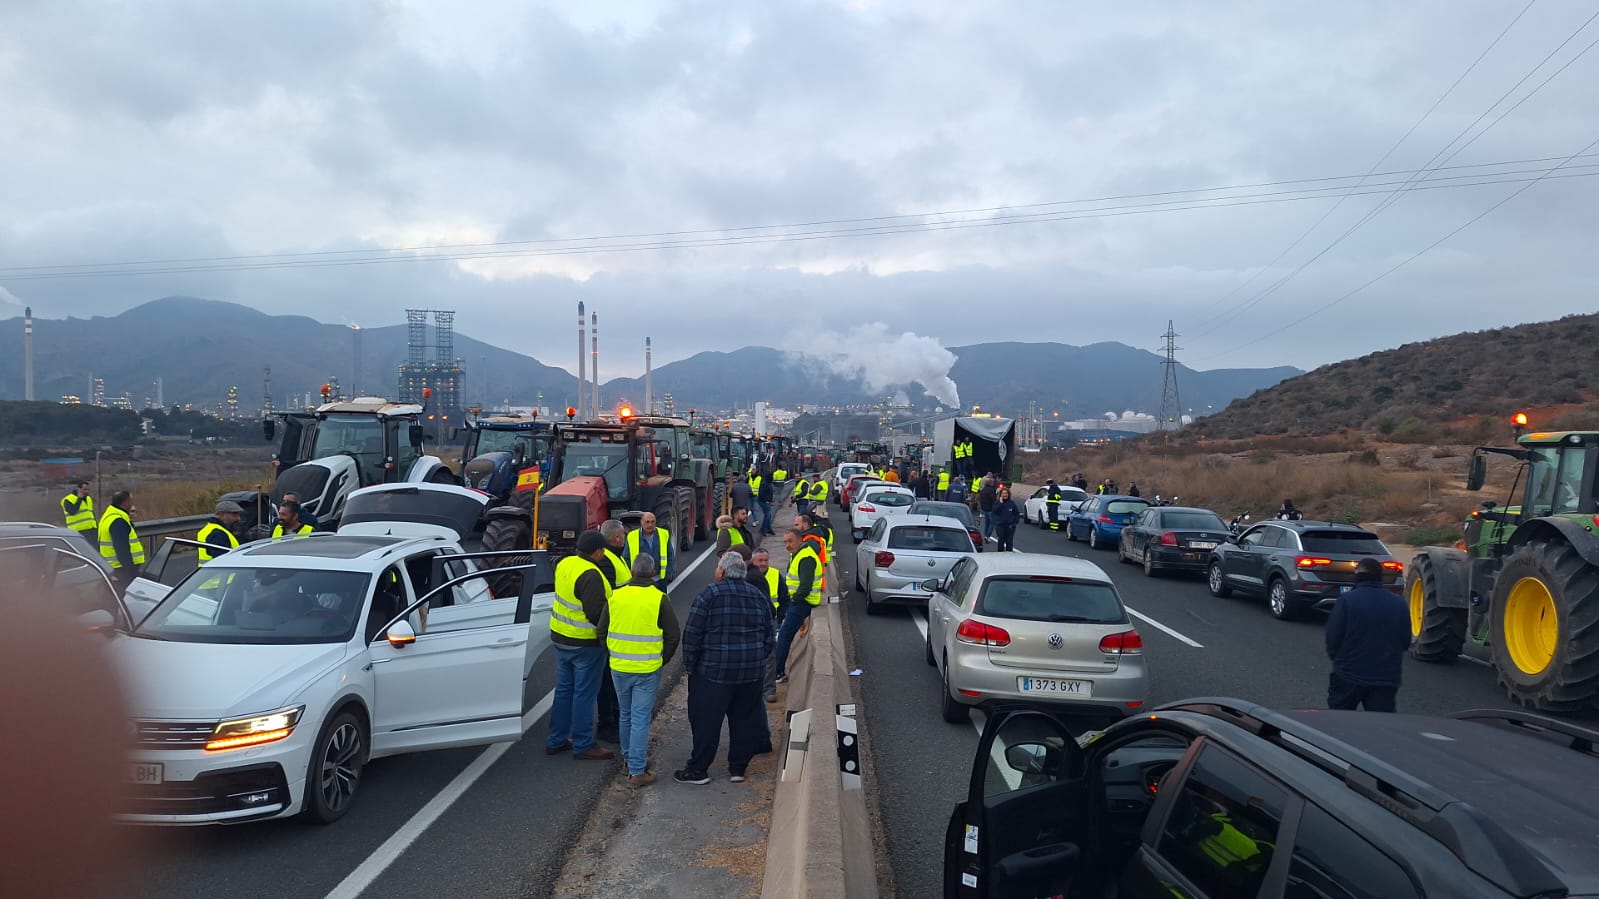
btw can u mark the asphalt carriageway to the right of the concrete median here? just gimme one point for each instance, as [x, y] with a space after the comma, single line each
[1195, 645]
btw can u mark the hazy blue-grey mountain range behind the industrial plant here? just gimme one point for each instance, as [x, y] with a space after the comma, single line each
[202, 348]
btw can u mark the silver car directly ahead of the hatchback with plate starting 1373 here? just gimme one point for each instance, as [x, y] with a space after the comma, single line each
[903, 553]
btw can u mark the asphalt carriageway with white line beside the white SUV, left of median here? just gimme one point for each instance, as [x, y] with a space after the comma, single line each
[455, 823]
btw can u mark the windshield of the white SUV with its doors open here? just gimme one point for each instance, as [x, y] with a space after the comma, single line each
[260, 607]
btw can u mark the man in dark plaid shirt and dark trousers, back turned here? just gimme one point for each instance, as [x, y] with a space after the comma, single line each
[727, 641]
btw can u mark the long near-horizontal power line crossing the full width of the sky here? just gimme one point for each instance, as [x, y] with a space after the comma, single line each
[271, 263]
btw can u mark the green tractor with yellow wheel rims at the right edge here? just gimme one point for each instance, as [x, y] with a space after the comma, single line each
[1525, 580]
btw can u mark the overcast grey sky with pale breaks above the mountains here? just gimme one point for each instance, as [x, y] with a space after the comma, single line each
[193, 129]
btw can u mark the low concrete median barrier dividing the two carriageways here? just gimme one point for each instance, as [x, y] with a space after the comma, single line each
[821, 837]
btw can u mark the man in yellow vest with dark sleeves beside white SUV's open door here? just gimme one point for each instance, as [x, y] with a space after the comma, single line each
[581, 594]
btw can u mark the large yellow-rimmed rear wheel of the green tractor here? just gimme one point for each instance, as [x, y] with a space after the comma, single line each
[1545, 628]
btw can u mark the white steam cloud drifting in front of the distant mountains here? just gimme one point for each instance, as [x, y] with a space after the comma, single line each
[883, 361]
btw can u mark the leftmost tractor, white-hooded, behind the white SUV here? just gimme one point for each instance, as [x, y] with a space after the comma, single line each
[346, 446]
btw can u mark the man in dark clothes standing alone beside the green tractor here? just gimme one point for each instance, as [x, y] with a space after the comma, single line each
[1368, 636]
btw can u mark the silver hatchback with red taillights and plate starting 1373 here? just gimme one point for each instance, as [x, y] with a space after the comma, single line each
[1034, 629]
